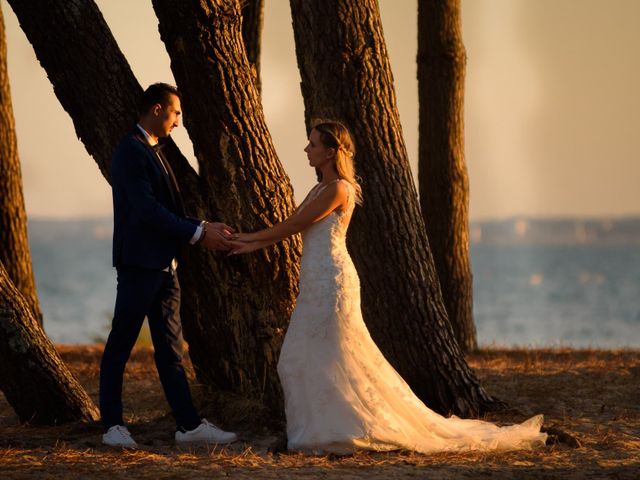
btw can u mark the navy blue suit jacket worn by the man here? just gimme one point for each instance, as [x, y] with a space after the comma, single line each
[149, 226]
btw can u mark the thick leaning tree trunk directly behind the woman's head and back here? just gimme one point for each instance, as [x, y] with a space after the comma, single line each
[346, 76]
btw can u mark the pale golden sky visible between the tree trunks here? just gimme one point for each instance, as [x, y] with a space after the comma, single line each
[552, 108]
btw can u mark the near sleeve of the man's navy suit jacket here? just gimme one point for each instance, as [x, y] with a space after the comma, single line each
[130, 177]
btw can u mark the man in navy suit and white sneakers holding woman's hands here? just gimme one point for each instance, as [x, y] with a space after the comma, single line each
[150, 227]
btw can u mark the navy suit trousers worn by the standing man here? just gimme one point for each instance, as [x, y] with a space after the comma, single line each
[156, 295]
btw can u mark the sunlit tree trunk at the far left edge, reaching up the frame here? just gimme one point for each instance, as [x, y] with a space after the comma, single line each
[14, 243]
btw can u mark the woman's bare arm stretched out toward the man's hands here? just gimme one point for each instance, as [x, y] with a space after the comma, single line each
[332, 197]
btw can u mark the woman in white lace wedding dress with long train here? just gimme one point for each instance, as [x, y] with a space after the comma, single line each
[341, 394]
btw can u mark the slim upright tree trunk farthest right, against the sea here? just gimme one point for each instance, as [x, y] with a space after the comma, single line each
[444, 185]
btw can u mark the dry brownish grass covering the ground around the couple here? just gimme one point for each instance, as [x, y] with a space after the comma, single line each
[591, 394]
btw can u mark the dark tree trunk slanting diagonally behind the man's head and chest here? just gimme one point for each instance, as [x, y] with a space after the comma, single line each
[98, 91]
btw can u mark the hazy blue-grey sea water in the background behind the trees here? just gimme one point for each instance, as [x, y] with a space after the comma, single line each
[558, 288]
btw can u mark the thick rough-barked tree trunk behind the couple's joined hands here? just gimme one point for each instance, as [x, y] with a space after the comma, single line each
[244, 184]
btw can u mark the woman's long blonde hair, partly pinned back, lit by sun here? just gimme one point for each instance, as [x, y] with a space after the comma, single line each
[335, 135]
